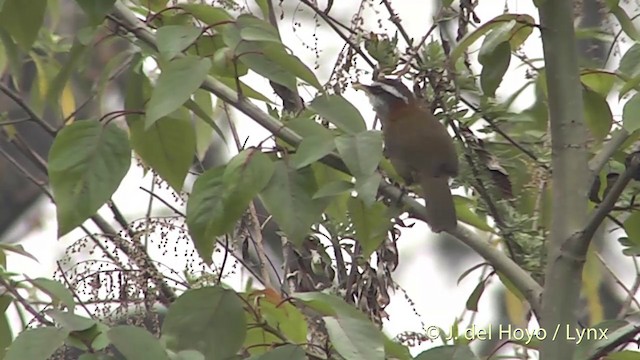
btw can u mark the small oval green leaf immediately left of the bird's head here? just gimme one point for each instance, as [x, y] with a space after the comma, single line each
[340, 112]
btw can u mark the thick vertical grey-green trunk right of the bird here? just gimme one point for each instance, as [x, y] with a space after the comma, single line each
[566, 256]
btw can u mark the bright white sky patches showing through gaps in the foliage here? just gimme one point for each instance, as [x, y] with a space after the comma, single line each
[429, 282]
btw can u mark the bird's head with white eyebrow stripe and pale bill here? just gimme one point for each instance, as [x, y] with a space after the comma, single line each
[386, 95]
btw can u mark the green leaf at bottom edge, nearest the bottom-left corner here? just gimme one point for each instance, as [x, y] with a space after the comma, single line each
[36, 344]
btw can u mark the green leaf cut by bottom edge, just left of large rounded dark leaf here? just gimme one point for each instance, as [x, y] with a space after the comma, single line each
[136, 343]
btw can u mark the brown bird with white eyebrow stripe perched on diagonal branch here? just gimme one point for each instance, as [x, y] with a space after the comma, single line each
[418, 146]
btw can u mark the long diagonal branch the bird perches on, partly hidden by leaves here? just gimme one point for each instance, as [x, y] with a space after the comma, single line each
[522, 281]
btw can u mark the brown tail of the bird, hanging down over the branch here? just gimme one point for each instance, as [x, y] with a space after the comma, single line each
[441, 212]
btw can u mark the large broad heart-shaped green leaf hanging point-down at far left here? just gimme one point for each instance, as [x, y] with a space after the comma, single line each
[87, 162]
